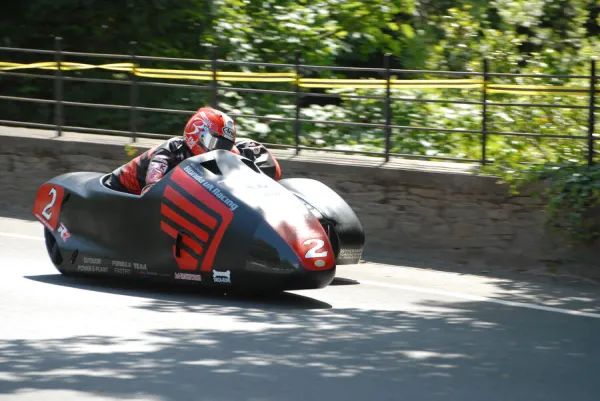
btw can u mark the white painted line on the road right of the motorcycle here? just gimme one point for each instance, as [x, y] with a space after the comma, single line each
[481, 299]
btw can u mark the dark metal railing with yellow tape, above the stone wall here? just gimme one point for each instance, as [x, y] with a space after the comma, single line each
[214, 75]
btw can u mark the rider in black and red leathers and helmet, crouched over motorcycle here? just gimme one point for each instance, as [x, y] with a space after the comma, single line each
[208, 129]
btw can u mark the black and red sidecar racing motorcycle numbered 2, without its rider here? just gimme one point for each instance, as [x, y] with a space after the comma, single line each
[215, 220]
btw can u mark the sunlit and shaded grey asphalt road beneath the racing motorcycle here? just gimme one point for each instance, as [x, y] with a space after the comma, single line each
[381, 332]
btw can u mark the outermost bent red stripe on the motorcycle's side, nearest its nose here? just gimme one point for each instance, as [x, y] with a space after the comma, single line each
[202, 194]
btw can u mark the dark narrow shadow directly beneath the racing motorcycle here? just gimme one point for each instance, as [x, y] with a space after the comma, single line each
[188, 294]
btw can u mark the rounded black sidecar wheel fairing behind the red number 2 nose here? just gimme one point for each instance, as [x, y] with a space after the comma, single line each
[344, 228]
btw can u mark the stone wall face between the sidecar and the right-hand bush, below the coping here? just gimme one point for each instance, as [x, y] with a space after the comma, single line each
[463, 218]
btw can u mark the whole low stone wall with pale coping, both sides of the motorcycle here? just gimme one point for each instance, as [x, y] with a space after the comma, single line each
[414, 212]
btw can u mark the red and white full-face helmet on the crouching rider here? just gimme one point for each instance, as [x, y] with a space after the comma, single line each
[209, 129]
